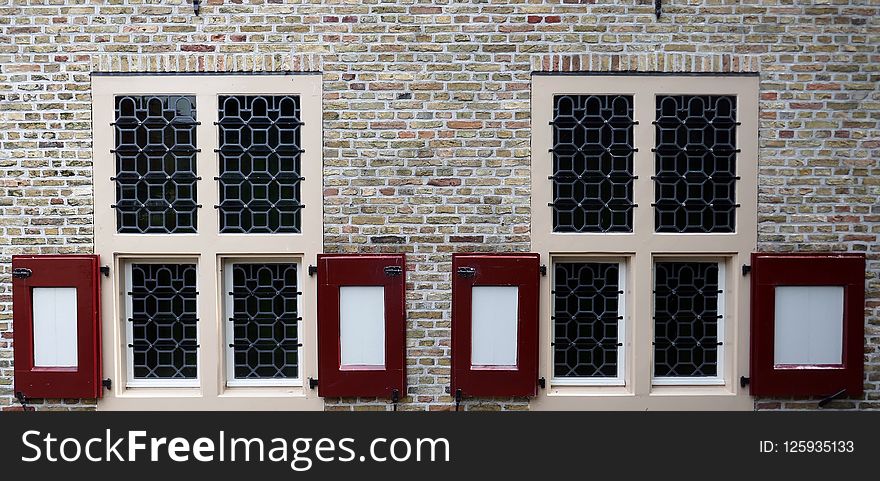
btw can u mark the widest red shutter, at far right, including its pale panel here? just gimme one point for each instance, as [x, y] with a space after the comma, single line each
[808, 324]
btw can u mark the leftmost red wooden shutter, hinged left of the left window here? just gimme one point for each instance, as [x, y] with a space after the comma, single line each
[80, 375]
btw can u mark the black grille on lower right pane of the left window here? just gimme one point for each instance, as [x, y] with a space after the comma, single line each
[265, 321]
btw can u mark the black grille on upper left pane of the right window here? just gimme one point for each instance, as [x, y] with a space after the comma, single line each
[592, 163]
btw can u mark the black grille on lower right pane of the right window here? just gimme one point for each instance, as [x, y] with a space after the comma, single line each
[686, 319]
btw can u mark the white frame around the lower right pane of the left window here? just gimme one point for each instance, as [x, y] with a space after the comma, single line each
[226, 293]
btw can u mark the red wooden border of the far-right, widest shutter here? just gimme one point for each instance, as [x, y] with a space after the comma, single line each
[771, 376]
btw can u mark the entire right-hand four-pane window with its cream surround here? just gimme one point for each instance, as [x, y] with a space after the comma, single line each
[649, 186]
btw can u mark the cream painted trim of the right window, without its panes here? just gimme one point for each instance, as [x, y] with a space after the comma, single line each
[643, 245]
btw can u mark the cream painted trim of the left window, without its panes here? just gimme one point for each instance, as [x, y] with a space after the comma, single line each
[207, 247]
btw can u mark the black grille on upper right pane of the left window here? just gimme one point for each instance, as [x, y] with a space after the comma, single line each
[260, 164]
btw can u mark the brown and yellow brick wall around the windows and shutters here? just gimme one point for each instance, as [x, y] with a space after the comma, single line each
[426, 121]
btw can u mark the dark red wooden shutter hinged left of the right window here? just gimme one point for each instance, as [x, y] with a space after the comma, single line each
[519, 378]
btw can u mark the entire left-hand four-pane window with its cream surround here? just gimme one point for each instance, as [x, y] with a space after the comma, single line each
[201, 187]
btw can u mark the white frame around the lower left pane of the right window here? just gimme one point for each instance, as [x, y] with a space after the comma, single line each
[622, 313]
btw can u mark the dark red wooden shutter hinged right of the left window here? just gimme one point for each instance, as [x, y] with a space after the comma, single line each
[336, 272]
